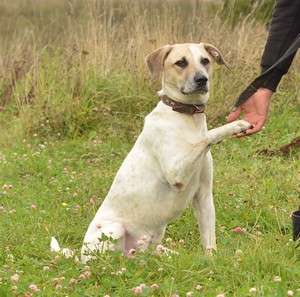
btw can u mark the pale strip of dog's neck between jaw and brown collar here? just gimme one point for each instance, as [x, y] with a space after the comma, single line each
[186, 99]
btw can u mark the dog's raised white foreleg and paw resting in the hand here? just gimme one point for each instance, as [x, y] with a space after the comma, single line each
[218, 134]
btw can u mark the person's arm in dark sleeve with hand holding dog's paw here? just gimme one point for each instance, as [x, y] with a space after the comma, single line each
[285, 27]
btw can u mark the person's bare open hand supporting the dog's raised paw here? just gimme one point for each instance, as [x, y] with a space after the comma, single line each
[254, 110]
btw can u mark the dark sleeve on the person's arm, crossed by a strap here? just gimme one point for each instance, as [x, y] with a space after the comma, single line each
[285, 26]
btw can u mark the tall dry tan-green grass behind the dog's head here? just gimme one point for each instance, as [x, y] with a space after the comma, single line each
[68, 67]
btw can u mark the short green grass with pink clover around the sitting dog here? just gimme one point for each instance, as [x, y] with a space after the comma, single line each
[68, 178]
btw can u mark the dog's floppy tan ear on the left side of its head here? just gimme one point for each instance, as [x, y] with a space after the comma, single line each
[155, 60]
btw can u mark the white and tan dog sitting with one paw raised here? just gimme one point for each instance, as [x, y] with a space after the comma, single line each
[170, 164]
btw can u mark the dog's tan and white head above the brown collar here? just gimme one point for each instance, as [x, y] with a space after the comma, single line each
[185, 69]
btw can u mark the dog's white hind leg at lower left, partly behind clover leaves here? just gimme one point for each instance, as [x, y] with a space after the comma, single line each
[101, 237]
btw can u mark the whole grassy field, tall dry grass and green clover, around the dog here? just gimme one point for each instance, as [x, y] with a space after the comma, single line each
[74, 90]
